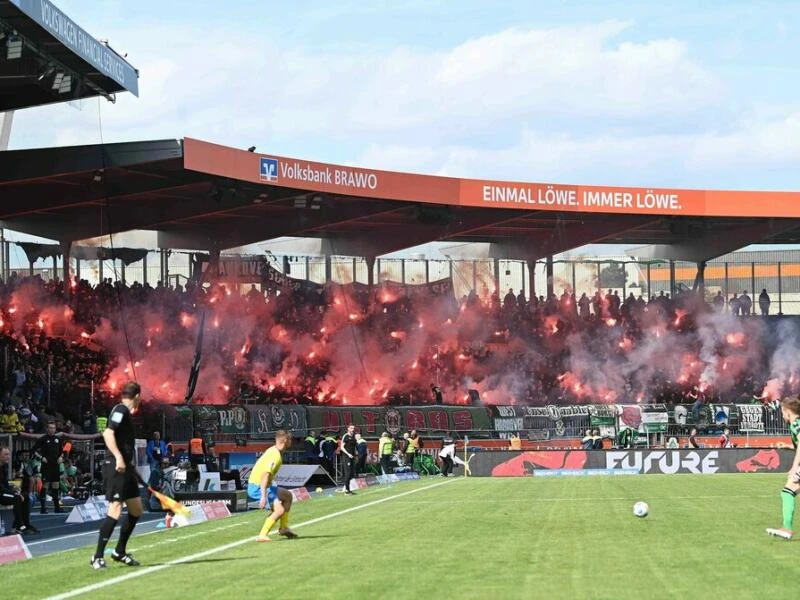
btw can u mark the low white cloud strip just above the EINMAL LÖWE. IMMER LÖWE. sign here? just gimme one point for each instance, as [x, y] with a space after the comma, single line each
[714, 160]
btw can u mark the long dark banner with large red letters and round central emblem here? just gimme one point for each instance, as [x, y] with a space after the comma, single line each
[428, 420]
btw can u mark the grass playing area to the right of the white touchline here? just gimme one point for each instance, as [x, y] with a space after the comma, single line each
[580, 544]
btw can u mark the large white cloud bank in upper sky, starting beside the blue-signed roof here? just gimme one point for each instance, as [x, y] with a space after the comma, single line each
[246, 89]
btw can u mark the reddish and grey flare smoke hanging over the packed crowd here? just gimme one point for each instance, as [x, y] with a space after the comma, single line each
[338, 345]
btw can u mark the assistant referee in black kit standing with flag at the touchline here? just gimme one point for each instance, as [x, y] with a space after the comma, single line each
[120, 478]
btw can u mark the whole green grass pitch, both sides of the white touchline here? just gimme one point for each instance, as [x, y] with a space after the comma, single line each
[466, 538]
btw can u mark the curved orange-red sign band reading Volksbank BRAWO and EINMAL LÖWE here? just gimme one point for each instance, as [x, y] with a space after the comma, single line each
[372, 183]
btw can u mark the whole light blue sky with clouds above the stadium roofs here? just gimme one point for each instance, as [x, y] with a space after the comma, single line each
[693, 94]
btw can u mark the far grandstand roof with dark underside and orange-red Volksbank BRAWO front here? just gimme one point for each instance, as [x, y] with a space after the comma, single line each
[205, 196]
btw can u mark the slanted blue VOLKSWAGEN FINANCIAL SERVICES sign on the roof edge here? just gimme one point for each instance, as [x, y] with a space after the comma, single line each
[65, 30]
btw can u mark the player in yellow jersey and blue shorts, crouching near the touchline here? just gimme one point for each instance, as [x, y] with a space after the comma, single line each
[261, 486]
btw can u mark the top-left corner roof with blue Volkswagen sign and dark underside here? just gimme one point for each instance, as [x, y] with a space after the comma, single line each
[46, 57]
